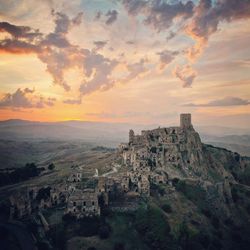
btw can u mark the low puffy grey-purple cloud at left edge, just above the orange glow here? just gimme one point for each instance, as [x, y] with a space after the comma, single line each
[25, 98]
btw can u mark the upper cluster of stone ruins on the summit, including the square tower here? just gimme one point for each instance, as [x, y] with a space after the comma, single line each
[162, 149]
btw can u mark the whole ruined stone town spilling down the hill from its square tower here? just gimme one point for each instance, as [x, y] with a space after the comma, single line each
[145, 160]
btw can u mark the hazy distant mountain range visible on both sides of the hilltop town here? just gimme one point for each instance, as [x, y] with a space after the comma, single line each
[111, 134]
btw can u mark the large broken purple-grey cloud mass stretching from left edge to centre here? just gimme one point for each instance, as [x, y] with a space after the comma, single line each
[59, 55]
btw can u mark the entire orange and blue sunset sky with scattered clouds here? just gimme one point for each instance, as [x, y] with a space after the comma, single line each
[133, 61]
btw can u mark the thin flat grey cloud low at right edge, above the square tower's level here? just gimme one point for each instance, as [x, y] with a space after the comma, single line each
[227, 101]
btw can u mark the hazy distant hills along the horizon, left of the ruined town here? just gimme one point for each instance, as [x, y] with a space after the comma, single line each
[108, 134]
